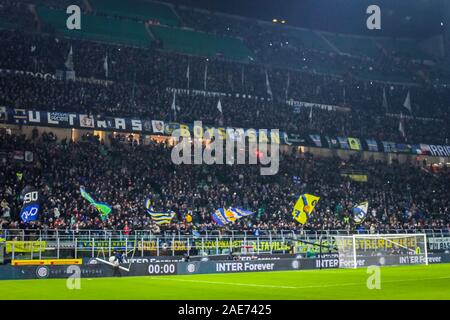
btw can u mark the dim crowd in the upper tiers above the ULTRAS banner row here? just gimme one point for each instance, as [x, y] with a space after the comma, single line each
[139, 79]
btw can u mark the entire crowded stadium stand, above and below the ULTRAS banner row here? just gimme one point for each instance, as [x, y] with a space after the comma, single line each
[147, 60]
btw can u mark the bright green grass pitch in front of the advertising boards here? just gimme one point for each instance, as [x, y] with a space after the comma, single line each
[403, 282]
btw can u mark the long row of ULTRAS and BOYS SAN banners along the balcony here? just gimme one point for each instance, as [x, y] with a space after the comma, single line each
[148, 126]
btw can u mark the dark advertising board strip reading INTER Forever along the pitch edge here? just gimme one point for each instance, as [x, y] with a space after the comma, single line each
[8, 272]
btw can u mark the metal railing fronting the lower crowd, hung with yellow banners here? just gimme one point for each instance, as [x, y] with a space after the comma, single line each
[56, 244]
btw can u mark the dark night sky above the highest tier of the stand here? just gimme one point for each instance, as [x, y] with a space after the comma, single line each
[401, 18]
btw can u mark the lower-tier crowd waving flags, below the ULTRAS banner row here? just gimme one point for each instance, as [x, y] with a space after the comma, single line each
[123, 174]
